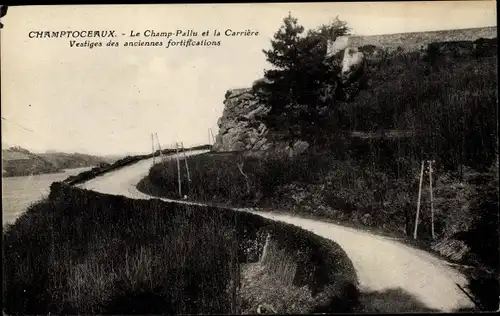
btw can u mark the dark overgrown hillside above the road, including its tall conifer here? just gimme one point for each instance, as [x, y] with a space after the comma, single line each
[439, 104]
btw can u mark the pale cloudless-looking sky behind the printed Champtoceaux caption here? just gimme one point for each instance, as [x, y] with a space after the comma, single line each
[108, 100]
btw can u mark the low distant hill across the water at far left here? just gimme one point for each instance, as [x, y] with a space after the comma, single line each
[17, 161]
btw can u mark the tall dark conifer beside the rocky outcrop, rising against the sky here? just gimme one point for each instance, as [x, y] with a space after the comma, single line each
[299, 89]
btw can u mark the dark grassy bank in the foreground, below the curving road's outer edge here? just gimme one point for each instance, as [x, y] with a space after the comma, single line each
[84, 252]
